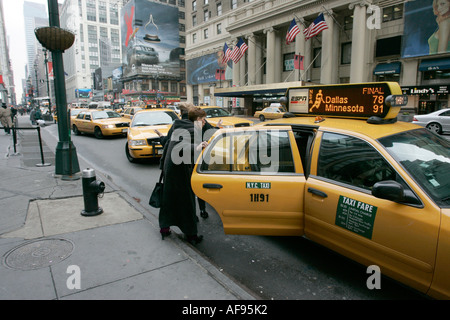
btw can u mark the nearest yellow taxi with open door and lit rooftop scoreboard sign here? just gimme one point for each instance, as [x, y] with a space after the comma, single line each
[341, 171]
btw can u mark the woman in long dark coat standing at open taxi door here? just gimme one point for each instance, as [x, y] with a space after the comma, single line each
[178, 200]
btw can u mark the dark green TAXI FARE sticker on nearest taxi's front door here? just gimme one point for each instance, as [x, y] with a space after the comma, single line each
[355, 216]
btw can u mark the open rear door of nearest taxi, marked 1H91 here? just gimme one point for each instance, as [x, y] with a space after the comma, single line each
[254, 179]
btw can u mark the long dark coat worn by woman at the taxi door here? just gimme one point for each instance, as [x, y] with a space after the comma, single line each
[178, 203]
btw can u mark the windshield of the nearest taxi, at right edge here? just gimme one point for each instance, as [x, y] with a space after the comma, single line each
[426, 157]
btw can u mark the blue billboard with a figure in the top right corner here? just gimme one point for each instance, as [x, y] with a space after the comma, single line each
[429, 36]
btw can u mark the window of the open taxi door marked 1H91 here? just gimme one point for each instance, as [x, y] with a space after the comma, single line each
[256, 151]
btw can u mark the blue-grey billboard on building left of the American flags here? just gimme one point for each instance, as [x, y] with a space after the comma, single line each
[205, 69]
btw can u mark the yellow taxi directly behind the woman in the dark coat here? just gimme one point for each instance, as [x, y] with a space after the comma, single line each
[142, 141]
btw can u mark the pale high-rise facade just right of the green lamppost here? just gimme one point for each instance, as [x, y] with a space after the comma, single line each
[96, 25]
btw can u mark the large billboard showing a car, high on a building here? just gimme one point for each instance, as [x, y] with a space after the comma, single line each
[150, 39]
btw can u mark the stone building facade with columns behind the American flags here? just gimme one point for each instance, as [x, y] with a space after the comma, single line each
[365, 41]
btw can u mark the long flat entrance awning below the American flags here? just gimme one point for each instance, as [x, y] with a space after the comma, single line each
[260, 90]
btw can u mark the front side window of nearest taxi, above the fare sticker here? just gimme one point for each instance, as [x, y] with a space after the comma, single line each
[352, 161]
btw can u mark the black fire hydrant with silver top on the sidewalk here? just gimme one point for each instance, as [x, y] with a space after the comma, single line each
[91, 189]
